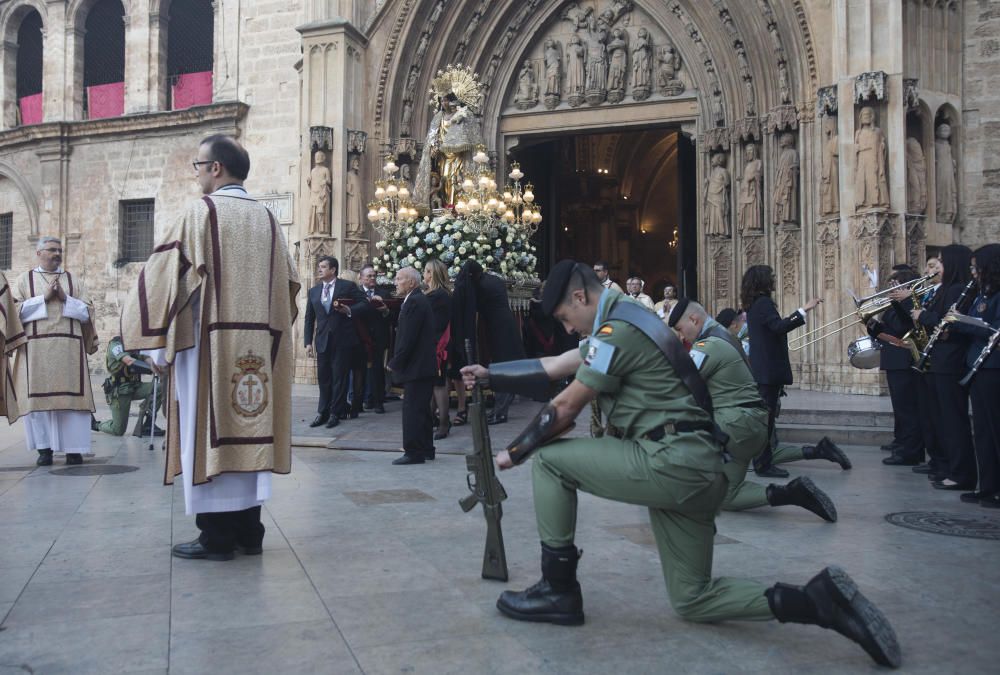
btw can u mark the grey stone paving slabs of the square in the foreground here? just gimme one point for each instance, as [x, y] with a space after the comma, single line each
[371, 568]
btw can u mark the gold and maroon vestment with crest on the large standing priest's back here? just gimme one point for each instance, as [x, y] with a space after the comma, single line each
[227, 261]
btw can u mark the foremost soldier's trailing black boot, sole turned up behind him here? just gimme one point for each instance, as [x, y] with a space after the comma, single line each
[832, 600]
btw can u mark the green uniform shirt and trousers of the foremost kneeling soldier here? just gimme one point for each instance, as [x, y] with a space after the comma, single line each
[678, 477]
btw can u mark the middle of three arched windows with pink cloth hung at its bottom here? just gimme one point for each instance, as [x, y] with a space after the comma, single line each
[104, 60]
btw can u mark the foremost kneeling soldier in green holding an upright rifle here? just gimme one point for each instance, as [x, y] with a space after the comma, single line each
[664, 454]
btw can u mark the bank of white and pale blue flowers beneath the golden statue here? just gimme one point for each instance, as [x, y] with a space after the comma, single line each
[506, 250]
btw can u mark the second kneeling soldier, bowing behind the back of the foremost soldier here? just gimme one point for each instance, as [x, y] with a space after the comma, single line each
[741, 414]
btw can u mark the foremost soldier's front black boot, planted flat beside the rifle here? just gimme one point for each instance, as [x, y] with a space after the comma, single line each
[554, 599]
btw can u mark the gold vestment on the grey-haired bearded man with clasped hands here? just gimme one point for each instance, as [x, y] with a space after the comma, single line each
[50, 370]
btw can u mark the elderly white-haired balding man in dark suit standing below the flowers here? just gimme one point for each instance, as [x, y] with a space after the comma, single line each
[414, 365]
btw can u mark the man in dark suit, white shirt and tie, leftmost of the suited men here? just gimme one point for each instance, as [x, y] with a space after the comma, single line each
[331, 337]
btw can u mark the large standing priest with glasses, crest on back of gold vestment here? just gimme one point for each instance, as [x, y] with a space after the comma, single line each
[215, 306]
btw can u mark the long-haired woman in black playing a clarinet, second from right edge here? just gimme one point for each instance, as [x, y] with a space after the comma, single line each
[947, 366]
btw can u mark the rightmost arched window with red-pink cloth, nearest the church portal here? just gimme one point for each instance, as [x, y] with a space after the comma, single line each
[189, 53]
